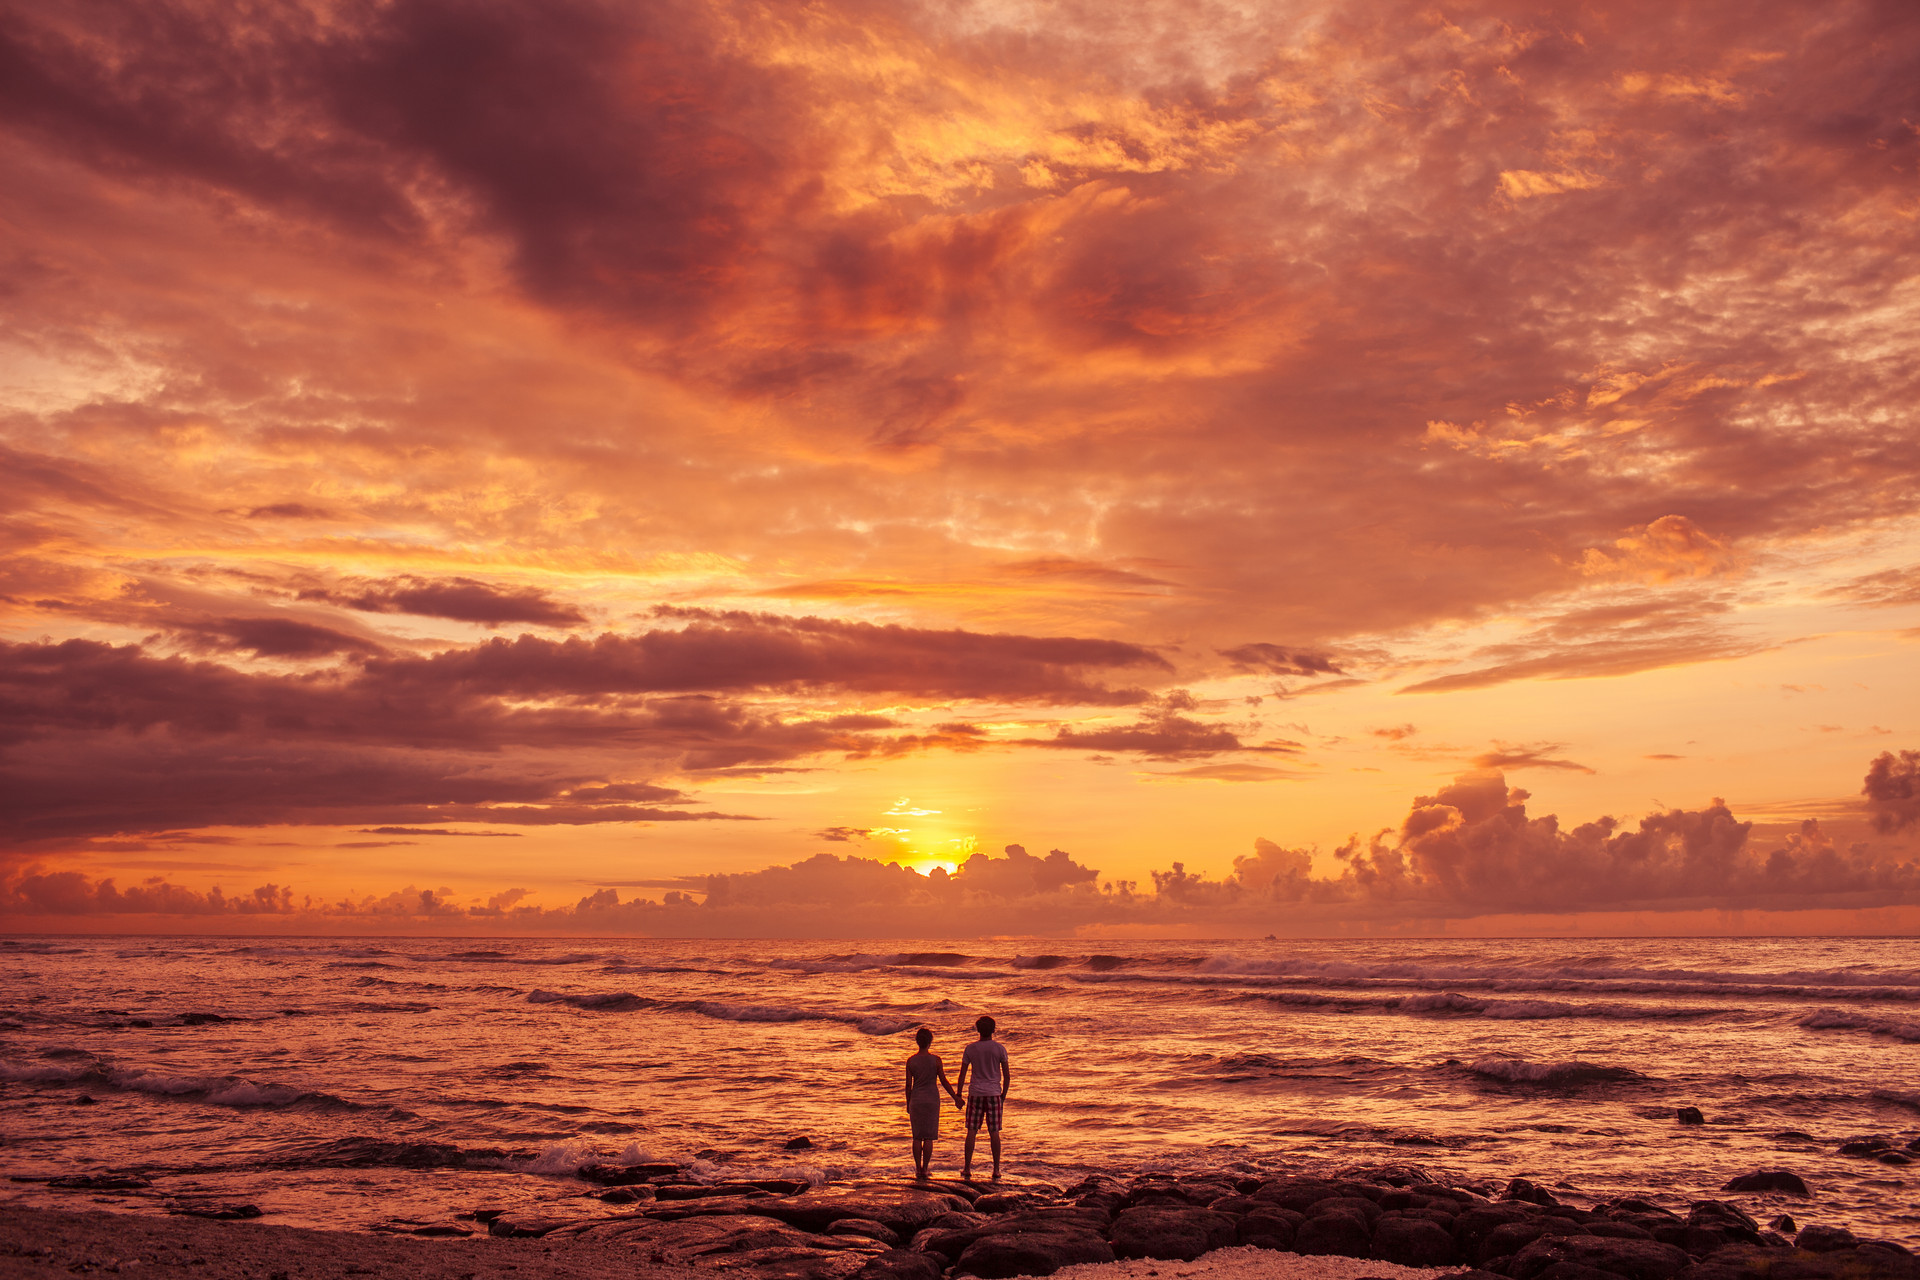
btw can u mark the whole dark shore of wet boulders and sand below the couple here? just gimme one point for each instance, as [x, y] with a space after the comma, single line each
[644, 1220]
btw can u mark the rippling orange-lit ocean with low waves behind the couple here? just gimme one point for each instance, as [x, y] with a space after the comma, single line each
[352, 1083]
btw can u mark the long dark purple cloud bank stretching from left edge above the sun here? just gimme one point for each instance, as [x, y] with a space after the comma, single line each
[112, 740]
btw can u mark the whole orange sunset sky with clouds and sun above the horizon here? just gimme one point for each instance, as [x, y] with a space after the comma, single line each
[961, 467]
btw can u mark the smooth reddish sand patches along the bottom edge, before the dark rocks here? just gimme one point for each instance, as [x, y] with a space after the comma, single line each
[55, 1244]
